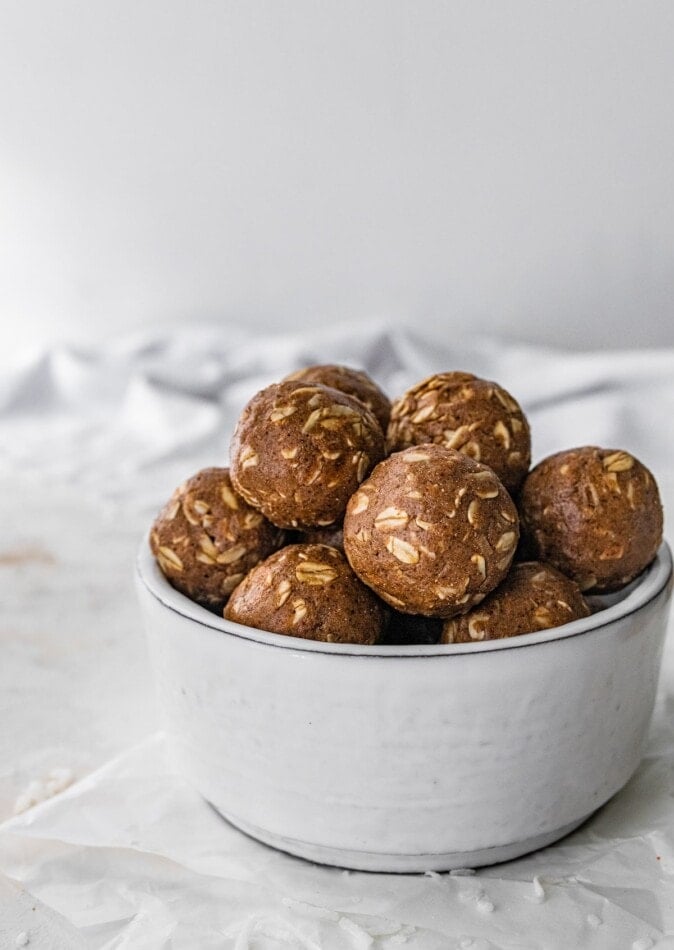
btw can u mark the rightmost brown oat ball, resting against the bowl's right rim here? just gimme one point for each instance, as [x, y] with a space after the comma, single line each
[595, 514]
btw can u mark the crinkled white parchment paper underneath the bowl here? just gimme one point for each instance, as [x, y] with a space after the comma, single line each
[133, 857]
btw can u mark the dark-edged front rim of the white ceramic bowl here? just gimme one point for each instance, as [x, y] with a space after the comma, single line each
[648, 586]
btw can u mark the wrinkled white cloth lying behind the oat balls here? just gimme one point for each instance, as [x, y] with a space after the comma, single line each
[146, 407]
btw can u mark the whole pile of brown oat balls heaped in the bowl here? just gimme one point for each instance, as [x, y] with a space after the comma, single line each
[346, 518]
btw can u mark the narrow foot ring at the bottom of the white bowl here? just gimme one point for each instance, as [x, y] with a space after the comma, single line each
[402, 863]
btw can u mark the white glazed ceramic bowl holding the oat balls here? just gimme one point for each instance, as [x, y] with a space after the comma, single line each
[407, 758]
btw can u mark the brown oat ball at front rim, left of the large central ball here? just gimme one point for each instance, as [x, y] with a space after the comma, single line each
[309, 591]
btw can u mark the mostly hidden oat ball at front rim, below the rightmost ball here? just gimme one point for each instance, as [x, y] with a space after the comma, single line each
[534, 596]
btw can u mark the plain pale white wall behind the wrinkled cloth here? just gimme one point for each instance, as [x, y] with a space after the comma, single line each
[472, 166]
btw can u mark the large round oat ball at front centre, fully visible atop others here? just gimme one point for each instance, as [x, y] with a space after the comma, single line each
[431, 531]
